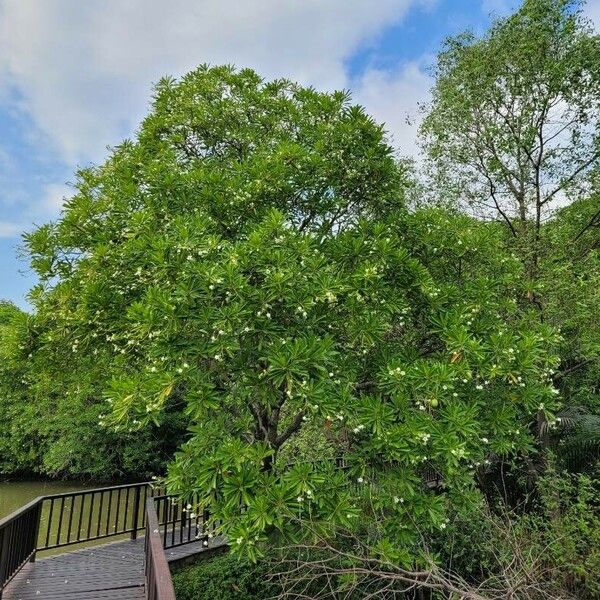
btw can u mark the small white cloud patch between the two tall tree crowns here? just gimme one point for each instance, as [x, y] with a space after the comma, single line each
[394, 99]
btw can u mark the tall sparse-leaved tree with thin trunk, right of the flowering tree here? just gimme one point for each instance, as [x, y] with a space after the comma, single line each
[514, 122]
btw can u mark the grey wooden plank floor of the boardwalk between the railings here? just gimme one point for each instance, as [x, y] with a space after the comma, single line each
[104, 572]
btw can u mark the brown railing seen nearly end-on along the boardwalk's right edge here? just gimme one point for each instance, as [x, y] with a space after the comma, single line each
[159, 585]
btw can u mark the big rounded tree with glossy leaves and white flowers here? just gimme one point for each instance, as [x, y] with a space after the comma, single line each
[248, 255]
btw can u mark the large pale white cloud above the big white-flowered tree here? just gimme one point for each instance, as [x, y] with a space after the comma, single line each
[84, 69]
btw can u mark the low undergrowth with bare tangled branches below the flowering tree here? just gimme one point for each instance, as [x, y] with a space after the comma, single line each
[546, 552]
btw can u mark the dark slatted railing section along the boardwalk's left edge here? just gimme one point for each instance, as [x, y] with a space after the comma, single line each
[18, 540]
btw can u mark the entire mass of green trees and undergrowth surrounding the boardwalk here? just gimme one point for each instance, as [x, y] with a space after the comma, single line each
[256, 285]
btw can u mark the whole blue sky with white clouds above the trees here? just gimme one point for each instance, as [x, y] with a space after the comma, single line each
[76, 77]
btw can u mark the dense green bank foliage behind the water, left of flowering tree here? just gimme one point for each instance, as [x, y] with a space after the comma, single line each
[50, 404]
